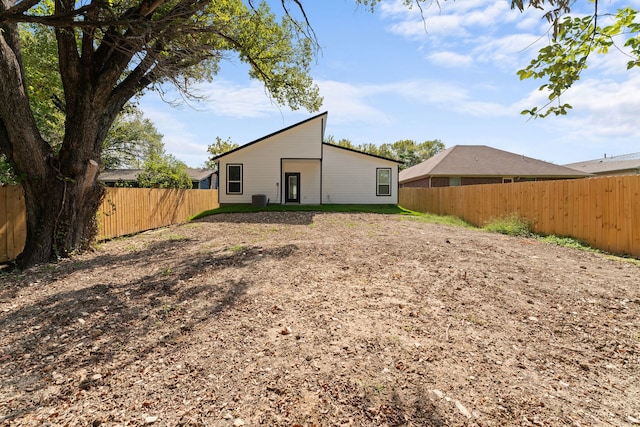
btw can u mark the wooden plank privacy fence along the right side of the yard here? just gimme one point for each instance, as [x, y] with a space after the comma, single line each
[602, 212]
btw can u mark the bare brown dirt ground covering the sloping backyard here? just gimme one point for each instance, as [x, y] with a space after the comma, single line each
[303, 319]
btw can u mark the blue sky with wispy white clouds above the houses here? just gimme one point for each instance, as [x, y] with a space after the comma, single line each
[389, 75]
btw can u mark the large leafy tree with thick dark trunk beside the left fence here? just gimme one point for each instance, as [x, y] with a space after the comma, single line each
[105, 53]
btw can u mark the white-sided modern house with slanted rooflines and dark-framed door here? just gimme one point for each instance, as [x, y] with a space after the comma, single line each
[294, 165]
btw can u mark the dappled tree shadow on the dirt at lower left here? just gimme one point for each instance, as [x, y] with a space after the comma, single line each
[56, 342]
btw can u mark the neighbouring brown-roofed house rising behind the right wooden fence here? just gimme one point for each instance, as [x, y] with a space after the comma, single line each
[480, 164]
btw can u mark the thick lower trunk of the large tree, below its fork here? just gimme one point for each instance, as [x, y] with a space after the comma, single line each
[62, 222]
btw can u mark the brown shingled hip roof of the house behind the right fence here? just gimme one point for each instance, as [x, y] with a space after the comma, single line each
[483, 161]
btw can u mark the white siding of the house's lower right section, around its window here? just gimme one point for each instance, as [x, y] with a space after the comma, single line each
[349, 177]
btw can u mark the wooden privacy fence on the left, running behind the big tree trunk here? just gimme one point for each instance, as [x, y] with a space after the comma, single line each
[123, 211]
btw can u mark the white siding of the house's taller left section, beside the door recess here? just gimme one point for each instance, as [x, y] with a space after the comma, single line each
[261, 161]
